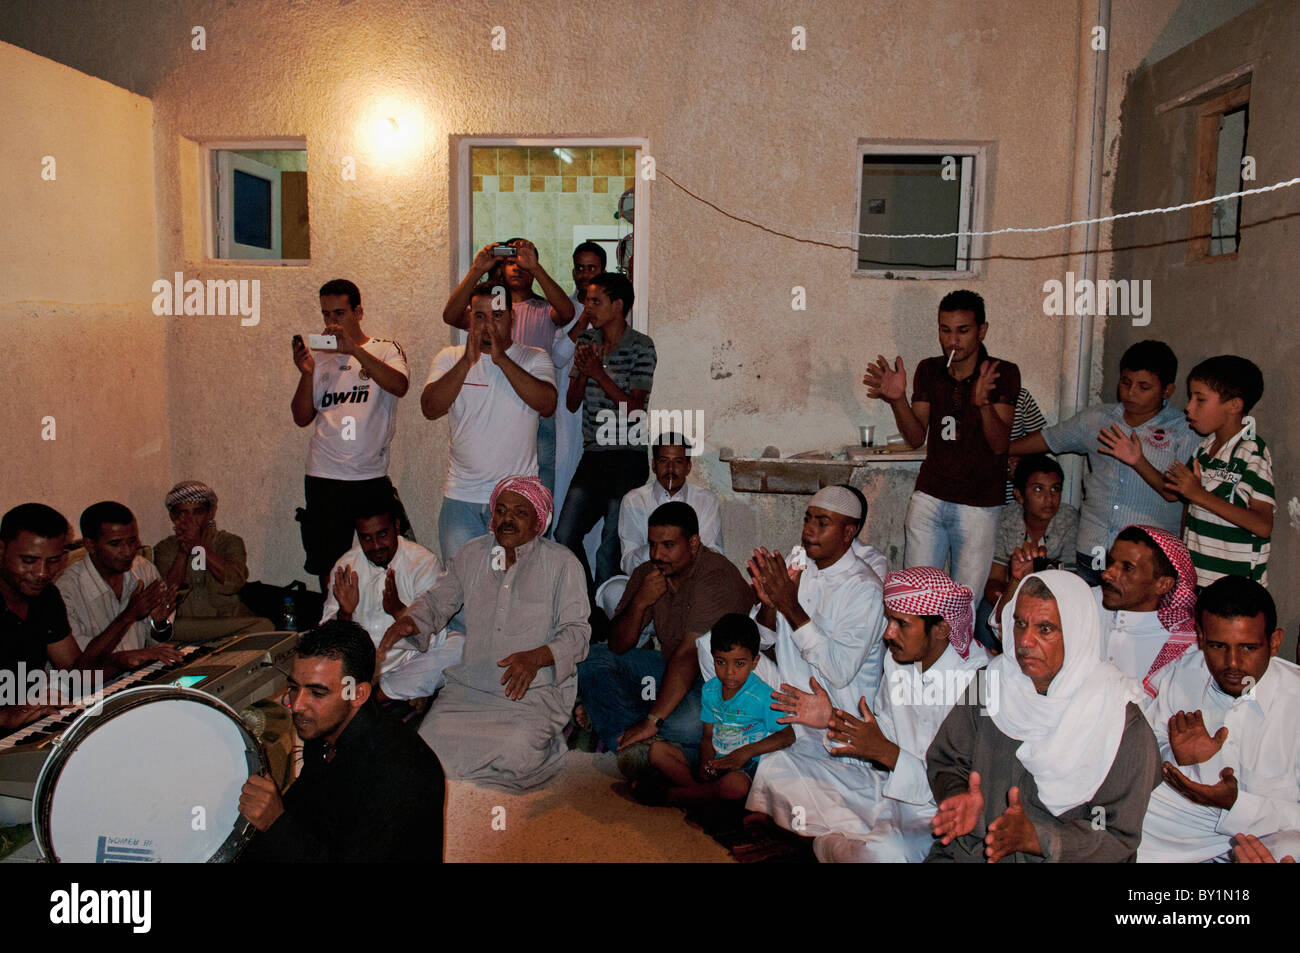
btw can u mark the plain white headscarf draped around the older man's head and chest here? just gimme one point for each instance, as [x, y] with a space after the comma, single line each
[1072, 734]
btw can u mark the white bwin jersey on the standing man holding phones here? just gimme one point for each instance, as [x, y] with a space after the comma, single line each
[356, 418]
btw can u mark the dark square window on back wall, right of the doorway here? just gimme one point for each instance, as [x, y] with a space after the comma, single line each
[920, 189]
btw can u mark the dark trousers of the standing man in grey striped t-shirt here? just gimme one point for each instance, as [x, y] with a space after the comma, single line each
[597, 491]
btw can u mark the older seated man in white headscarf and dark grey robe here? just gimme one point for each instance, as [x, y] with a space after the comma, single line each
[1061, 778]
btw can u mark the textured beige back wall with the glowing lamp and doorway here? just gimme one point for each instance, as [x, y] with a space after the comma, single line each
[731, 112]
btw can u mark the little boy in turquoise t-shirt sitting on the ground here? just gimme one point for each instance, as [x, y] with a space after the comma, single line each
[739, 726]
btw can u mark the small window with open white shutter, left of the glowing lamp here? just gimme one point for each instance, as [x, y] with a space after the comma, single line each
[259, 202]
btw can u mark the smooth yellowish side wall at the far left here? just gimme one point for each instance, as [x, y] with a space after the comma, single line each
[84, 352]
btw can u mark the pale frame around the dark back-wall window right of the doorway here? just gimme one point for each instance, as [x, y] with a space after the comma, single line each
[973, 213]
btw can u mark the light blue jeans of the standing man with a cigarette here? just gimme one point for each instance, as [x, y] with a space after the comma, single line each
[941, 534]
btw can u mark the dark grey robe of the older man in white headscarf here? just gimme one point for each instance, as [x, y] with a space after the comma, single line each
[970, 742]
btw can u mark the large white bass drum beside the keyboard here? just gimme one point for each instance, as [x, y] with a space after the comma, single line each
[153, 777]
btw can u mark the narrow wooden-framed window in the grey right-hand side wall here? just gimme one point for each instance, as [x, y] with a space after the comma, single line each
[1221, 128]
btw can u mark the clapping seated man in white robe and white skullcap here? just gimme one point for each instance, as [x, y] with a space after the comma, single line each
[826, 622]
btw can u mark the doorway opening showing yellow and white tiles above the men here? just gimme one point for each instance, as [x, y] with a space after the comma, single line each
[557, 194]
